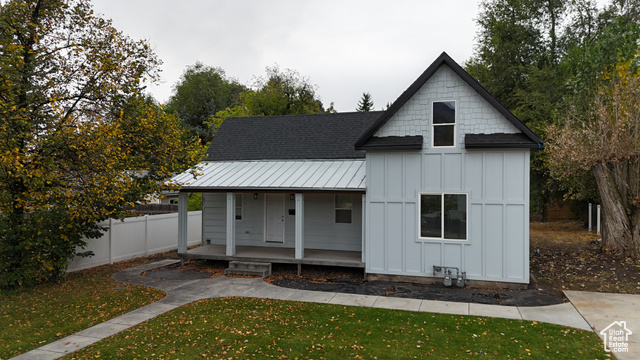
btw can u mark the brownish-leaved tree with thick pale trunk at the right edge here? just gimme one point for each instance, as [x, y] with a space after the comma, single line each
[605, 141]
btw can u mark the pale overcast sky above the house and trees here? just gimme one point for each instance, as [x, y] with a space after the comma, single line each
[344, 47]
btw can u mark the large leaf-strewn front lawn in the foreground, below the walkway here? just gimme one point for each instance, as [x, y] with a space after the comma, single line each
[245, 328]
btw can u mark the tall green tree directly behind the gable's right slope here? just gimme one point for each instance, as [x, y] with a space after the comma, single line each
[520, 43]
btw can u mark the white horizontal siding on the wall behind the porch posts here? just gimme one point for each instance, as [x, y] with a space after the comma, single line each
[320, 229]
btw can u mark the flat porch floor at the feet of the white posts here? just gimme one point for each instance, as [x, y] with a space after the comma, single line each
[277, 255]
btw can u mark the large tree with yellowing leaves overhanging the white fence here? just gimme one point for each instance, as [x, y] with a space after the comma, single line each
[68, 159]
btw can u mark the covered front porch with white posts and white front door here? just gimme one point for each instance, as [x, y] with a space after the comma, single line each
[320, 228]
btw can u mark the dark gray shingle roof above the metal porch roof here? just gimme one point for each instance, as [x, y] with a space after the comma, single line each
[316, 136]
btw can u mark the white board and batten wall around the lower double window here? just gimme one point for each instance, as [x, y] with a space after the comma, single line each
[497, 245]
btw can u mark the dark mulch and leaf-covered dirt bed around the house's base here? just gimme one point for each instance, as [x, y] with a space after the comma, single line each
[564, 256]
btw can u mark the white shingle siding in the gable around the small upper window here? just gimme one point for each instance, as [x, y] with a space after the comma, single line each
[474, 115]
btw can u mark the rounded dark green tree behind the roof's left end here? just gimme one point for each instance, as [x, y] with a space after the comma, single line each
[201, 92]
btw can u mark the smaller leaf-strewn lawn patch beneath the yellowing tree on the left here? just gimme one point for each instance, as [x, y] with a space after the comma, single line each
[30, 318]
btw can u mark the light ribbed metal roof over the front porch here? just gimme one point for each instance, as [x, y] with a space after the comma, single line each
[310, 175]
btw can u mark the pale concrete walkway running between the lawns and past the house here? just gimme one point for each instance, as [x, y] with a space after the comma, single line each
[181, 292]
